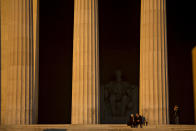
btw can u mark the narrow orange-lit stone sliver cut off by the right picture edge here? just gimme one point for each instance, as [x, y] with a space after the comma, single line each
[194, 78]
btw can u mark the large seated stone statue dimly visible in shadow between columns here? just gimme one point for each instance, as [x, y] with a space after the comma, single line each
[120, 98]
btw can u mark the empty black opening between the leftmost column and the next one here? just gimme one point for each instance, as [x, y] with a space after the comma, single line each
[55, 62]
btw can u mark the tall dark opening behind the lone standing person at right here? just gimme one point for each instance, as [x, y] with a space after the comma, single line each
[181, 34]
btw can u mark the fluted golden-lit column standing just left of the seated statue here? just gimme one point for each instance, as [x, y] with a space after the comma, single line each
[85, 82]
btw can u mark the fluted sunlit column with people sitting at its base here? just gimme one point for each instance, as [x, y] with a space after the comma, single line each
[153, 62]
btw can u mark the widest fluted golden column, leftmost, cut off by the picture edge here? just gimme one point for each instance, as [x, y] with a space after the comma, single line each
[19, 61]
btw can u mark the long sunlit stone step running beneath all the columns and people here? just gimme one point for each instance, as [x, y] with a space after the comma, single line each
[99, 127]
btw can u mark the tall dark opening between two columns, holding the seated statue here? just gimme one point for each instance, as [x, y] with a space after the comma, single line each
[119, 40]
